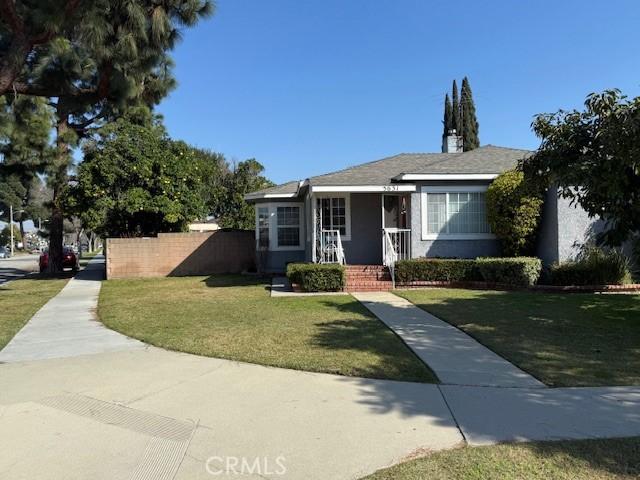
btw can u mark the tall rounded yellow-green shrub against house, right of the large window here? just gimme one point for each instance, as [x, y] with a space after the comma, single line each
[514, 207]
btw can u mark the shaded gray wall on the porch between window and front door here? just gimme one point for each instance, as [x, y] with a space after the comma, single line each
[365, 246]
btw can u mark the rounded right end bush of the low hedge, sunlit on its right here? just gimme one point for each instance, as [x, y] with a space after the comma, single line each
[518, 271]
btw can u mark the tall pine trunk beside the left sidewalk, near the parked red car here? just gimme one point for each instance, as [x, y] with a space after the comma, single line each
[59, 180]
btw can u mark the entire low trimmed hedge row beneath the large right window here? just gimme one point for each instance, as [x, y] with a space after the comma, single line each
[518, 271]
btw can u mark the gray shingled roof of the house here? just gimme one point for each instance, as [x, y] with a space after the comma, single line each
[487, 159]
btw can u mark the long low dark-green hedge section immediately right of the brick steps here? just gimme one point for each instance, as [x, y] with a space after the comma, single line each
[436, 269]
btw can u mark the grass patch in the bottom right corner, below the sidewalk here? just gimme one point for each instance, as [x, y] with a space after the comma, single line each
[567, 460]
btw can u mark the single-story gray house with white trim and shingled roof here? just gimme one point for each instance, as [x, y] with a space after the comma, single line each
[406, 206]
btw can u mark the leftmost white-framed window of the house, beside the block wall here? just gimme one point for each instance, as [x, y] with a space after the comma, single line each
[279, 226]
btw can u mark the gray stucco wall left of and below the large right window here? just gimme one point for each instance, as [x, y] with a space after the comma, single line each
[445, 248]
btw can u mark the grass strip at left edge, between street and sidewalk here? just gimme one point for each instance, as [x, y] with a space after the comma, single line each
[21, 299]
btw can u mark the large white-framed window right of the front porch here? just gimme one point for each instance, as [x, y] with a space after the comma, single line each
[454, 213]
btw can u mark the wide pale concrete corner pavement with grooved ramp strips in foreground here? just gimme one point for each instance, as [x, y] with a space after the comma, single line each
[152, 414]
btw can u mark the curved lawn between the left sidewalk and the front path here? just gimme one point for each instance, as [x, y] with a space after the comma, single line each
[234, 317]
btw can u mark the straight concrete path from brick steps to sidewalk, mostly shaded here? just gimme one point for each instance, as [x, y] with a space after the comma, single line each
[455, 357]
